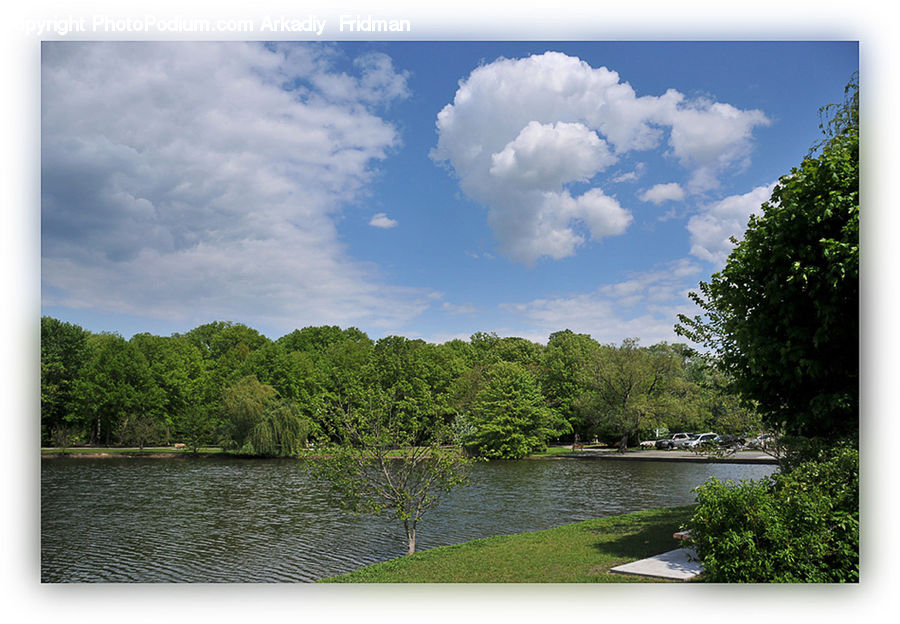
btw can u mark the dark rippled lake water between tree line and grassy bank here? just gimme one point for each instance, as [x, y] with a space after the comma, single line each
[226, 520]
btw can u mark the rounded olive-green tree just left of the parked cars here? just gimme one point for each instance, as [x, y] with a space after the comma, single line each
[631, 387]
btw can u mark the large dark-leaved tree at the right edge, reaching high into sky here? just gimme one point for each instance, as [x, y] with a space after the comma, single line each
[783, 314]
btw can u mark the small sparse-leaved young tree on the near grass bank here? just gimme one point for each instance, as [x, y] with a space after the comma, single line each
[384, 467]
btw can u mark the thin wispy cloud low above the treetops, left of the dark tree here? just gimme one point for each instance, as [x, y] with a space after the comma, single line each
[646, 305]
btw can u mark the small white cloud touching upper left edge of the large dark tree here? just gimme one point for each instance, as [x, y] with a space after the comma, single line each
[712, 229]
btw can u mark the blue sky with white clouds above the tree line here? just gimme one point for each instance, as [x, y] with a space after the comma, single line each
[427, 189]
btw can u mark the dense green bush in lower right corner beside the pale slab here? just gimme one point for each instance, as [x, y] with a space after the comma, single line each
[801, 526]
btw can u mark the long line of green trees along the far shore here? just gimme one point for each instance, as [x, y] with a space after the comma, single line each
[225, 384]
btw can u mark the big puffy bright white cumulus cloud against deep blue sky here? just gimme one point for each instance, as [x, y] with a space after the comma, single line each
[520, 132]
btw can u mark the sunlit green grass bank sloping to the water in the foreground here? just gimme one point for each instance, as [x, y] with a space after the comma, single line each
[582, 552]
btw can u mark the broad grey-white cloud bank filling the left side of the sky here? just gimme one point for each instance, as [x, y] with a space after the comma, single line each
[193, 181]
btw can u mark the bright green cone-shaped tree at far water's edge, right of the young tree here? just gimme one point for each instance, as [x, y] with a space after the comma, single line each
[509, 417]
